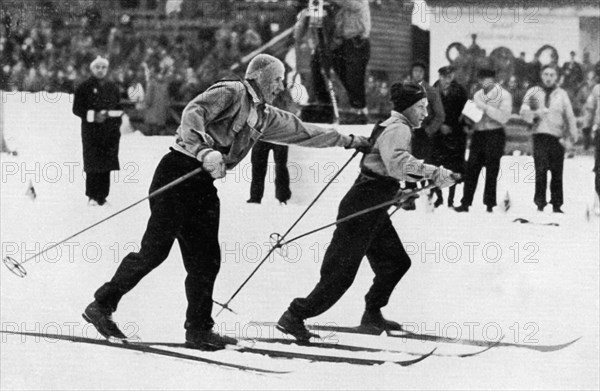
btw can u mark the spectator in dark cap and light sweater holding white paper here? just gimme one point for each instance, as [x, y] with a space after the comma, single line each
[488, 140]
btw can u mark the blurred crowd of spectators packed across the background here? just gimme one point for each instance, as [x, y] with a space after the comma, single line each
[160, 69]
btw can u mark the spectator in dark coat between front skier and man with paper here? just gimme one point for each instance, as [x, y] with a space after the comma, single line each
[450, 143]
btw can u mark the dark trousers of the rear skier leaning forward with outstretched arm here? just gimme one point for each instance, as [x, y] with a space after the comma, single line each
[188, 212]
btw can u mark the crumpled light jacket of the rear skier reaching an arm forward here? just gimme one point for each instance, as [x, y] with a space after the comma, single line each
[230, 117]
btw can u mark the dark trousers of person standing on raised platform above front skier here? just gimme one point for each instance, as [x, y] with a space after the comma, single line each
[349, 61]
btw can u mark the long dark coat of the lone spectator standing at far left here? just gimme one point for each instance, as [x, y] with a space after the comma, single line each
[100, 140]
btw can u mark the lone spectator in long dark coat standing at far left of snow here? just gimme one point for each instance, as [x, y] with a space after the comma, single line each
[97, 104]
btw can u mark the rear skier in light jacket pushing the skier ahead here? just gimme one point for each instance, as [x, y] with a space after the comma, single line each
[218, 129]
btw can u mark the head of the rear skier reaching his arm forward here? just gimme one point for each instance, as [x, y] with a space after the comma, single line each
[268, 73]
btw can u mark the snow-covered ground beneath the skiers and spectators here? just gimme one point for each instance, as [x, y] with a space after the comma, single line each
[474, 275]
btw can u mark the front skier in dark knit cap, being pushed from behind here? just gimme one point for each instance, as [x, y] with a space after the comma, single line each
[371, 234]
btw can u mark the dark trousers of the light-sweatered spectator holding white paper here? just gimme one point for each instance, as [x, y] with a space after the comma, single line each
[487, 148]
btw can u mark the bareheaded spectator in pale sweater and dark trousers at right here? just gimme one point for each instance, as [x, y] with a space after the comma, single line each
[548, 108]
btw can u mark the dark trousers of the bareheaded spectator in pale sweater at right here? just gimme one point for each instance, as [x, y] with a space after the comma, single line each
[548, 155]
